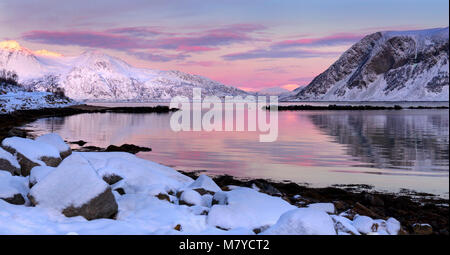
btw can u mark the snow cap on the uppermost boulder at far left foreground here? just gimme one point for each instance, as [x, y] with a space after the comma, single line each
[31, 149]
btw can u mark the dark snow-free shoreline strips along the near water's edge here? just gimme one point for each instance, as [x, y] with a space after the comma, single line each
[409, 210]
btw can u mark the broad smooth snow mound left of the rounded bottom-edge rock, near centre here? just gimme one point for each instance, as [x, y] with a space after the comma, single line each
[247, 208]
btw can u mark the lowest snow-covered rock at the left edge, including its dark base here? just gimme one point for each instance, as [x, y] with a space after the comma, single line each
[13, 189]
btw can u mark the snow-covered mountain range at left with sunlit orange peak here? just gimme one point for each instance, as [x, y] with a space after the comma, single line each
[99, 77]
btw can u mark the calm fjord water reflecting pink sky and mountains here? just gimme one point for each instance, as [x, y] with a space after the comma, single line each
[388, 149]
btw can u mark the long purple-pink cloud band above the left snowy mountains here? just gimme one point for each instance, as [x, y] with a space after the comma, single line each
[132, 38]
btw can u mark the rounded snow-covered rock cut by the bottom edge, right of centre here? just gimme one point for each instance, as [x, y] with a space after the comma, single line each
[303, 221]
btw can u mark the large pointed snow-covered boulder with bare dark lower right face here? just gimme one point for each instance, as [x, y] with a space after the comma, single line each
[74, 188]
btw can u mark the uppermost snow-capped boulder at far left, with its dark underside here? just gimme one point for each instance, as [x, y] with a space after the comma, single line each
[31, 153]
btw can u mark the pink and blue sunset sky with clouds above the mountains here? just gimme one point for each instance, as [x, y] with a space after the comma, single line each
[250, 44]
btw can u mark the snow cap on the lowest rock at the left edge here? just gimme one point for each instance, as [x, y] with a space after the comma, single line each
[11, 185]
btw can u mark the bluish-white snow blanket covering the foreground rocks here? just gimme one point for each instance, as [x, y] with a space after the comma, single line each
[78, 179]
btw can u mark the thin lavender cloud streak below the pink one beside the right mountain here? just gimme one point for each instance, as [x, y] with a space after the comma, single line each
[278, 53]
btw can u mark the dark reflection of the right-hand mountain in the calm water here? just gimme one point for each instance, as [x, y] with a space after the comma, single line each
[418, 141]
